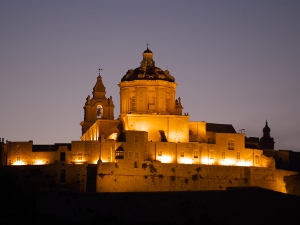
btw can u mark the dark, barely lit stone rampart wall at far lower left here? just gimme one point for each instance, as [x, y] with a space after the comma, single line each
[41, 177]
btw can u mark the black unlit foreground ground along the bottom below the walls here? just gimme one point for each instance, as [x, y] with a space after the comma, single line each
[234, 206]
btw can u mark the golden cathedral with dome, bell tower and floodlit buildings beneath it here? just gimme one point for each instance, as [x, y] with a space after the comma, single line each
[151, 126]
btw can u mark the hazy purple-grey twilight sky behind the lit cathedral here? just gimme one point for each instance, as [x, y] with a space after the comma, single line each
[235, 62]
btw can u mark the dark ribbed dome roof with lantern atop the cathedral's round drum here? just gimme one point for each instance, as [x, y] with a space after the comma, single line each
[148, 70]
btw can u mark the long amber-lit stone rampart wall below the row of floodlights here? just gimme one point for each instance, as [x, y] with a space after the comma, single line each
[155, 176]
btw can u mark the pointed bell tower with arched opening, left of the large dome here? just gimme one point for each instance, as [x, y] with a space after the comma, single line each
[98, 107]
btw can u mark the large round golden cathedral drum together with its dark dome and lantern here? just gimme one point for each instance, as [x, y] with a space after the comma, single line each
[148, 90]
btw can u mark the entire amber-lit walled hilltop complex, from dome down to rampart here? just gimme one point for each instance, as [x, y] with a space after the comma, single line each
[152, 145]
